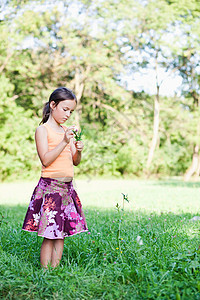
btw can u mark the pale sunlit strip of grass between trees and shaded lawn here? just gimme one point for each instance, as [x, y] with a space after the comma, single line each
[172, 195]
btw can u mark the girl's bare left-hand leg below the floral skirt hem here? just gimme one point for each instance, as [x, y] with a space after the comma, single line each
[46, 252]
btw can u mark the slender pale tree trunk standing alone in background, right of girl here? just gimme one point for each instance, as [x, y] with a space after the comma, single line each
[154, 140]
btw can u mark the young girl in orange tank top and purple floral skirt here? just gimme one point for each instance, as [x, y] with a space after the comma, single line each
[55, 210]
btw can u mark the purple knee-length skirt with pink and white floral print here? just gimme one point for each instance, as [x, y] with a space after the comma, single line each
[55, 210]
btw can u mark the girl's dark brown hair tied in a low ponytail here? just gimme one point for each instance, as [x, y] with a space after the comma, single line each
[60, 94]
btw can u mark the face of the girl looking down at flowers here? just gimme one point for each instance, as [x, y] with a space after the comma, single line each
[63, 110]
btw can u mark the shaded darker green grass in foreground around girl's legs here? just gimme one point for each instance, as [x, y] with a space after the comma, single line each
[107, 260]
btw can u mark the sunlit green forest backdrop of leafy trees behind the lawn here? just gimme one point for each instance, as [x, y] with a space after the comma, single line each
[92, 47]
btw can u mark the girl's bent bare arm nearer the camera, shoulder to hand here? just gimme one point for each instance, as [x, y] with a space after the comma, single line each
[47, 157]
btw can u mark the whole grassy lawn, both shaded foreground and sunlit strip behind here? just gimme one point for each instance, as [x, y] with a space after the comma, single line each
[109, 263]
